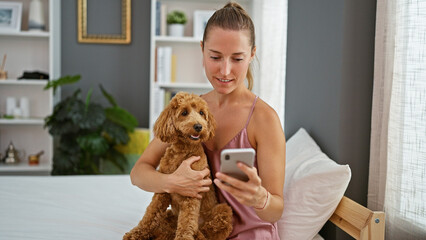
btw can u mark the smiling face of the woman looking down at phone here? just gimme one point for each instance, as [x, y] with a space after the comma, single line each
[226, 58]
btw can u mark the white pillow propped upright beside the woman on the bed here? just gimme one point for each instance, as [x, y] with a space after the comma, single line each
[314, 186]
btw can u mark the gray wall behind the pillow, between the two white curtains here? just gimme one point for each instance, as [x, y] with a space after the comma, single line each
[329, 83]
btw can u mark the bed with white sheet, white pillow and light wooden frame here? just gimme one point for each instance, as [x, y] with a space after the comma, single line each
[107, 206]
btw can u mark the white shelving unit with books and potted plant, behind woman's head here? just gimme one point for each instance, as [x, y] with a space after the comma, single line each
[190, 75]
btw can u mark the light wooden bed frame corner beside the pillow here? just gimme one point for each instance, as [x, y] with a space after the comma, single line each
[359, 221]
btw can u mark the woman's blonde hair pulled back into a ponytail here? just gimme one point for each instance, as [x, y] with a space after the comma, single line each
[233, 17]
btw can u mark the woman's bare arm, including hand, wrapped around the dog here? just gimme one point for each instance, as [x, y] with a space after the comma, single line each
[184, 180]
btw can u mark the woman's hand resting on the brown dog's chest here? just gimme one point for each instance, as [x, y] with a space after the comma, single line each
[188, 182]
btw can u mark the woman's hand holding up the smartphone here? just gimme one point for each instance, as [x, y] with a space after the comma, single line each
[250, 193]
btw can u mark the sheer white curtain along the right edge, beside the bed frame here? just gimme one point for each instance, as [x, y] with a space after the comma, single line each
[397, 180]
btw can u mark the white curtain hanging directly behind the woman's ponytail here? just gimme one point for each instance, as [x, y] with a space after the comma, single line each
[271, 31]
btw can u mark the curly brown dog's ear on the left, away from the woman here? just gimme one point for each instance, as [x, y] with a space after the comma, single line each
[164, 127]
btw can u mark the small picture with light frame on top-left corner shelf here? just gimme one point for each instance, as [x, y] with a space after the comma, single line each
[10, 16]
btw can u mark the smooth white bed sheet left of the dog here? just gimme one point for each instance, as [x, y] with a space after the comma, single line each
[70, 207]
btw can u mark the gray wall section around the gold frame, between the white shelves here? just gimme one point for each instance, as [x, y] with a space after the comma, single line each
[123, 70]
